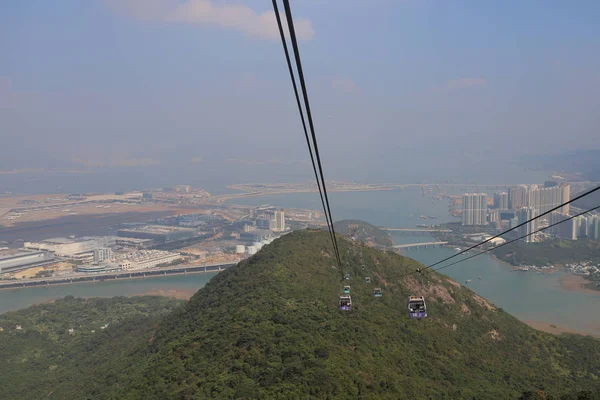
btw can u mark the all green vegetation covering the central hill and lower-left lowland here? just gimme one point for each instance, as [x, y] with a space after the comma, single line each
[270, 328]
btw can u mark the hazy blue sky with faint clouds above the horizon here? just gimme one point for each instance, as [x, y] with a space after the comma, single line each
[392, 83]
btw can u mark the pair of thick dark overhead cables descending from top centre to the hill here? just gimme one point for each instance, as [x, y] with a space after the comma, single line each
[324, 200]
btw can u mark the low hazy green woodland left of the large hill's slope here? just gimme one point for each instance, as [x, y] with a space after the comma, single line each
[44, 359]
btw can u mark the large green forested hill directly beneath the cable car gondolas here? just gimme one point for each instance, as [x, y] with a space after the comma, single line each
[270, 328]
